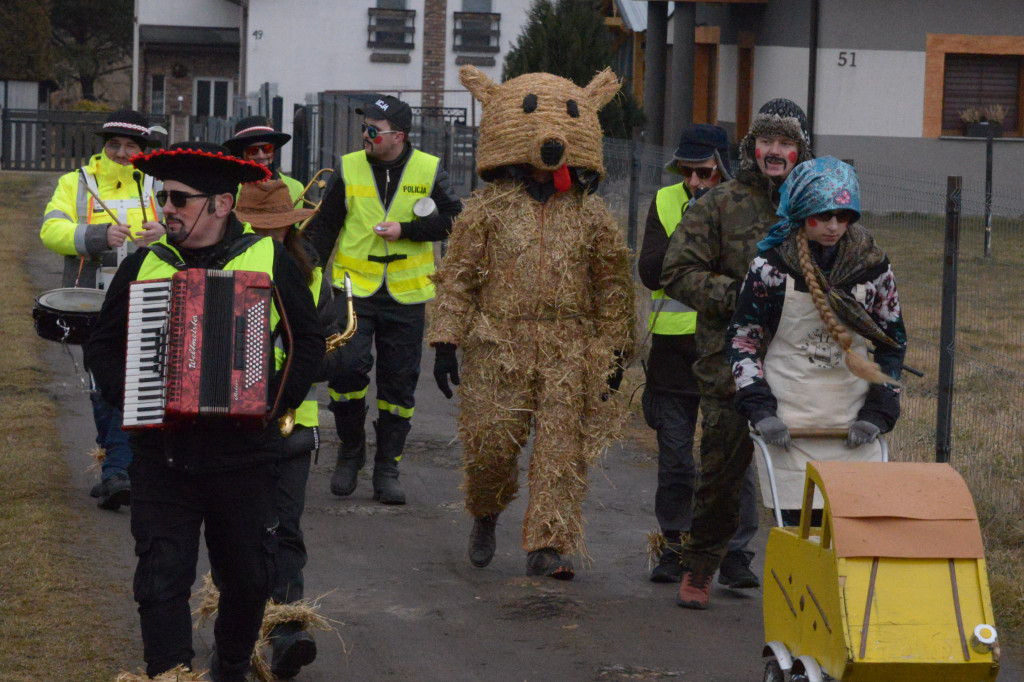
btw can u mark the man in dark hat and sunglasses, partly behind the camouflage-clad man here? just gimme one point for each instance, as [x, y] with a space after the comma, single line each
[671, 396]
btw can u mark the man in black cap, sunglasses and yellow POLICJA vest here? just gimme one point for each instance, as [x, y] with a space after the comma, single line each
[368, 211]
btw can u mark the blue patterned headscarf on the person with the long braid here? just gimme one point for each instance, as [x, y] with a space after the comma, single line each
[814, 187]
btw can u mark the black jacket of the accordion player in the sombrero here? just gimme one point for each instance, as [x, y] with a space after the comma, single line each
[211, 445]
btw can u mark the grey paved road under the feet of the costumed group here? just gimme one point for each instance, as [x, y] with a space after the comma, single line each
[408, 605]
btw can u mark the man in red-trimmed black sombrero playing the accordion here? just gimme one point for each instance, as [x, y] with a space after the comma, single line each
[214, 474]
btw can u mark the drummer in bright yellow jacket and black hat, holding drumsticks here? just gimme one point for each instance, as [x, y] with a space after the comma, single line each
[97, 217]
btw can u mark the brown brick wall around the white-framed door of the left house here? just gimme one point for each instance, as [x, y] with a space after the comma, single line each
[181, 68]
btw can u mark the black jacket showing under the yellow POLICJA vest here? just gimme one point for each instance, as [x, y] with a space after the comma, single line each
[323, 231]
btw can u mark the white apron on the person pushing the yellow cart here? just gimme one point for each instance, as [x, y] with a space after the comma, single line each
[805, 369]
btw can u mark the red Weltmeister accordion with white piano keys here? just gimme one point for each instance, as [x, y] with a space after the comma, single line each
[199, 346]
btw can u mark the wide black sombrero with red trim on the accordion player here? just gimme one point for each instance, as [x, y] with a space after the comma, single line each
[206, 166]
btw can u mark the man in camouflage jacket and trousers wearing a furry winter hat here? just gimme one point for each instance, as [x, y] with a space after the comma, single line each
[705, 267]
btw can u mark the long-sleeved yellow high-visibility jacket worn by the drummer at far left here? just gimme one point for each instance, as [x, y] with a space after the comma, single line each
[73, 209]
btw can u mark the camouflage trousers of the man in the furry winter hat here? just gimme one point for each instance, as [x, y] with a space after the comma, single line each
[726, 453]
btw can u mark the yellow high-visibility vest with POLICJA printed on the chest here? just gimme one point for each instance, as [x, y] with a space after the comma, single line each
[403, 266]
